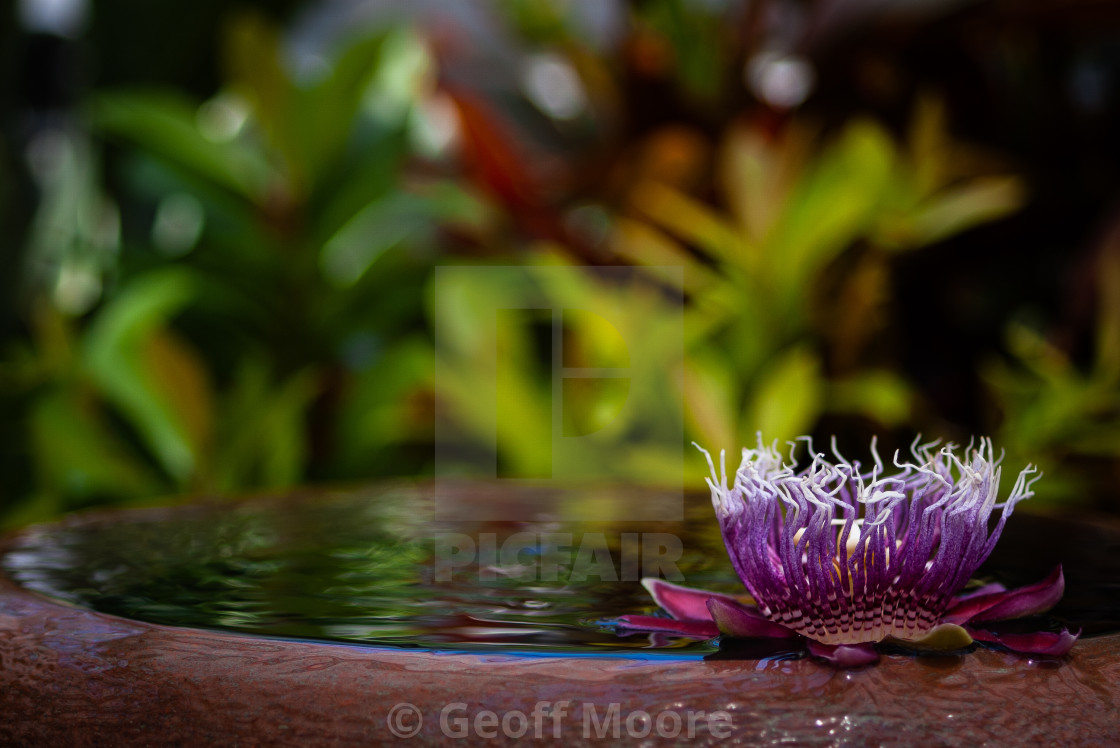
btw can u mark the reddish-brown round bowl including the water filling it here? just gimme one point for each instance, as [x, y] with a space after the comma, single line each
[357, 618]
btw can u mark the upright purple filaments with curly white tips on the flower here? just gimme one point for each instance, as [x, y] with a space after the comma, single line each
[846, 557]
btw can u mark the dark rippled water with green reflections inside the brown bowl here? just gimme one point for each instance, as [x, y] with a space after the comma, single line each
[375, 567]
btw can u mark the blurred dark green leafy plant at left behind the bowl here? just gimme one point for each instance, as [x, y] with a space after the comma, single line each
[254, 302]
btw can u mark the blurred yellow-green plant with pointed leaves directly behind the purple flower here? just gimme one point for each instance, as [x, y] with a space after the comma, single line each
[789, 291]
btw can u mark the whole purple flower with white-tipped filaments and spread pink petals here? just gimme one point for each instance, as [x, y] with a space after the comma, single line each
[845, 559]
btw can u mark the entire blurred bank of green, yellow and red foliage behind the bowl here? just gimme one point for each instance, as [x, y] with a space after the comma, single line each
[246, 300]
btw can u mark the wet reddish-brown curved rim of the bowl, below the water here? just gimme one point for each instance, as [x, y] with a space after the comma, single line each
[70, 676]
